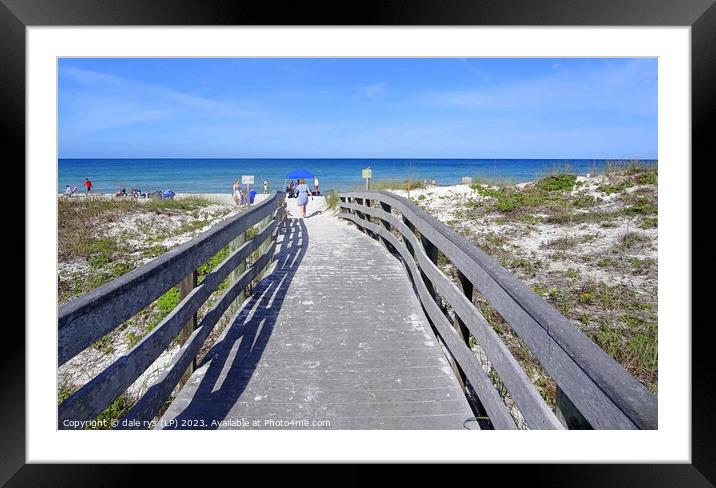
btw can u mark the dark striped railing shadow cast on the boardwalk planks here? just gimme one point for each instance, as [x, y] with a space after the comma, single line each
[222, 384]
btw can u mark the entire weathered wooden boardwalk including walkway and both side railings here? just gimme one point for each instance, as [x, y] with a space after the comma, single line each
[336, 336]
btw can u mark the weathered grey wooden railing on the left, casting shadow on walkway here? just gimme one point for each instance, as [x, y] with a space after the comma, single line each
[90, 317]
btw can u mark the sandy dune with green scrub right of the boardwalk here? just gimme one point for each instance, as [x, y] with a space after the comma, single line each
[621, 317]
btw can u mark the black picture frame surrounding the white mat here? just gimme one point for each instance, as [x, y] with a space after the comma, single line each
[16, 15]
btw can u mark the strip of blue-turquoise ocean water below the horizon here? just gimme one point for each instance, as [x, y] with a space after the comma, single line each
[217, 175]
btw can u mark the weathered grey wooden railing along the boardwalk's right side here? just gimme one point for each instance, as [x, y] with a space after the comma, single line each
[593, 390]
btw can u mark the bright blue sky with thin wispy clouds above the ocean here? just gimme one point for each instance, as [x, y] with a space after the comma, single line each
[354, 108]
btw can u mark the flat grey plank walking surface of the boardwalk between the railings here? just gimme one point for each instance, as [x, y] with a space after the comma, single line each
[334, 337]
